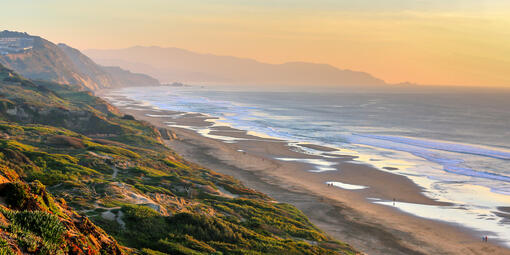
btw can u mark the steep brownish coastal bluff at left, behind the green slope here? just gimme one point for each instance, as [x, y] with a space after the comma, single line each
[40, 59]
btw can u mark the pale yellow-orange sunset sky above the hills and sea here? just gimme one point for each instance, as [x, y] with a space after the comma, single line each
[432, 42]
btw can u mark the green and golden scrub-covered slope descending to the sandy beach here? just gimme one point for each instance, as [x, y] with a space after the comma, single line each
[118, 172]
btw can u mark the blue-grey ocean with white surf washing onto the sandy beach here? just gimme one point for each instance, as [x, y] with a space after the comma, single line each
[454, 145]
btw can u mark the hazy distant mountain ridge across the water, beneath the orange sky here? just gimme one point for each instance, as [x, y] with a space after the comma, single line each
[173, 64]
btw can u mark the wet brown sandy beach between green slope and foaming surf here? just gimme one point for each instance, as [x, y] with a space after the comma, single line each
[346, 215]
